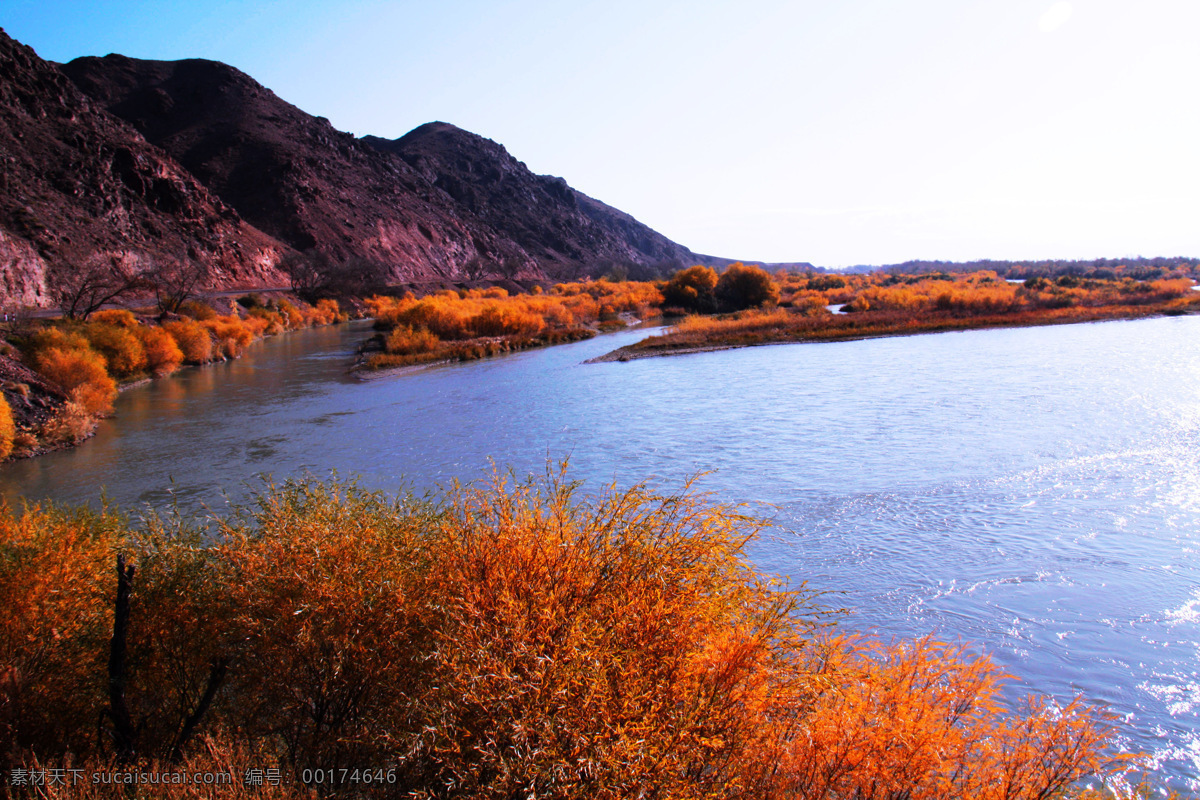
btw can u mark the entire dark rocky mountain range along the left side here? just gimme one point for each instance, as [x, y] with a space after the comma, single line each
[135, 164]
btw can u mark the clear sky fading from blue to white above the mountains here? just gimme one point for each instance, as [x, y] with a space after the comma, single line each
[836, 131]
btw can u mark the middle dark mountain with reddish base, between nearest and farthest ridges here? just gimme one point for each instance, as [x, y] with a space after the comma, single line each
[292, 175]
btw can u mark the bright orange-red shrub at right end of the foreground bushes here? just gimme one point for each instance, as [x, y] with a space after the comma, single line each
[923, 720]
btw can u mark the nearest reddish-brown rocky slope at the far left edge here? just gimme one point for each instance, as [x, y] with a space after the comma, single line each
[80, 188]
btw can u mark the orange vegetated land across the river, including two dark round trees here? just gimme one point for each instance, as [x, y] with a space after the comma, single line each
[761, 309]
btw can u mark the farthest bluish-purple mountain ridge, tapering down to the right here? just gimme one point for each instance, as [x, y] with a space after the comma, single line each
[561, 228]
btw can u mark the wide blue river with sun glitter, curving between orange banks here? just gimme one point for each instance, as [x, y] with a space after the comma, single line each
[1033, 491]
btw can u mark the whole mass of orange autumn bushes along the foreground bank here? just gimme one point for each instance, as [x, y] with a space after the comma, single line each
[512, 639]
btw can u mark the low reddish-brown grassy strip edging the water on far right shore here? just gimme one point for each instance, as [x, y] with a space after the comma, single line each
[788, 327]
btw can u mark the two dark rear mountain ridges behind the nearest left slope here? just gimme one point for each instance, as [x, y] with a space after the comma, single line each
[440, 203]
